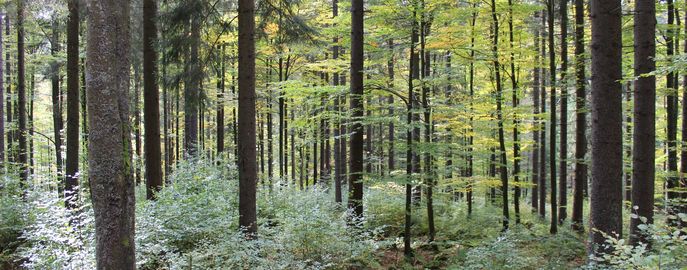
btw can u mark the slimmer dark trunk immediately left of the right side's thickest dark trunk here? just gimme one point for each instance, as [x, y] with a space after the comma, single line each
[580, 120]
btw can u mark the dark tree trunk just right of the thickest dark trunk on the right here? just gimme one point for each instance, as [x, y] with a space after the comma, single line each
[644, 135]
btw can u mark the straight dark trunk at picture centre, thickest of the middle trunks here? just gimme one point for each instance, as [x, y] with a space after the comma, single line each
[355, 200]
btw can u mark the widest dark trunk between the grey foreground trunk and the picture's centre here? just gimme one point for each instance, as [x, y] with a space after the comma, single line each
[246, 117]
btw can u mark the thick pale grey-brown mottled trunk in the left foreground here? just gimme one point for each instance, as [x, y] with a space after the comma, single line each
[112, 183]
